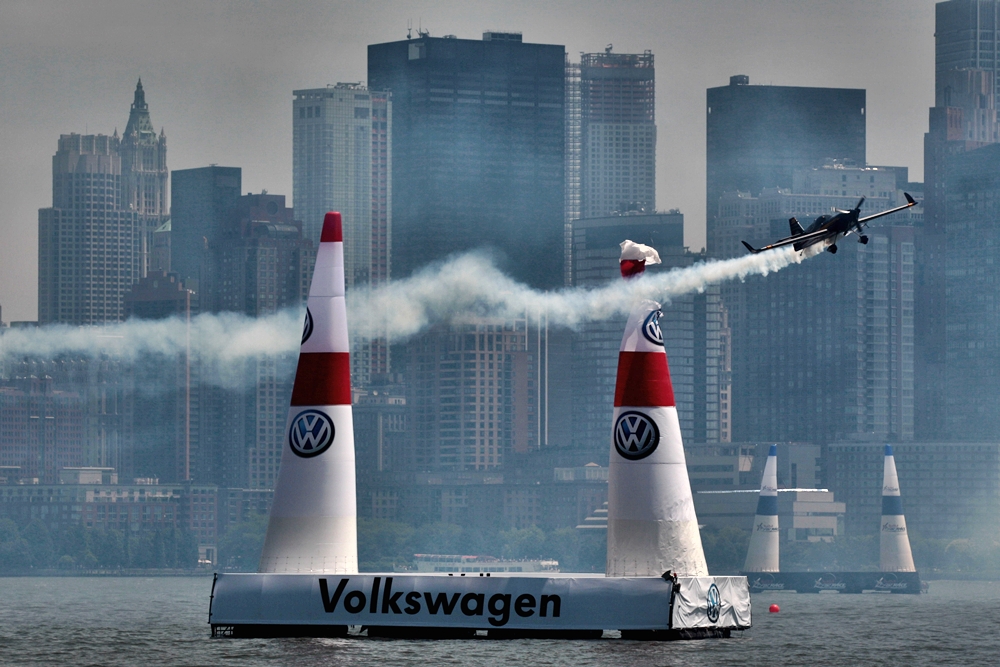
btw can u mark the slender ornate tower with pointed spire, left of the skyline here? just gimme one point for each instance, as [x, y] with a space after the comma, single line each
[144, 173]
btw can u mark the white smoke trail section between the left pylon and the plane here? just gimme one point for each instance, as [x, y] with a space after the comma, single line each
[470, 286]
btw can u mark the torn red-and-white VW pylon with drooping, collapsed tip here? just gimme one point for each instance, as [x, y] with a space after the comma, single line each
[652, 527]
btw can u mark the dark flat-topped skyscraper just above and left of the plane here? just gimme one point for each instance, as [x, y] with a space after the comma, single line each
[758, 135]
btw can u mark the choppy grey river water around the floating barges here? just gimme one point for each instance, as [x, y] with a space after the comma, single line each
[163, 621]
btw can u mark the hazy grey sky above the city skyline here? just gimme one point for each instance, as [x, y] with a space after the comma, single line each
[219, 76]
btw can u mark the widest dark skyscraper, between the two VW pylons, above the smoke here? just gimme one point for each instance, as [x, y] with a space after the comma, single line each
[477, 142]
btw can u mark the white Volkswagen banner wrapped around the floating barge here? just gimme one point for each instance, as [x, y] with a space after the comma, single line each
[243, 602]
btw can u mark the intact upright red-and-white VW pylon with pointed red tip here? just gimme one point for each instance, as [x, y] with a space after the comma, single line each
[313, 525]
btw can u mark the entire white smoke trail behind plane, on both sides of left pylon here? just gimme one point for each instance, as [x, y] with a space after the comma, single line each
[466, 286]
